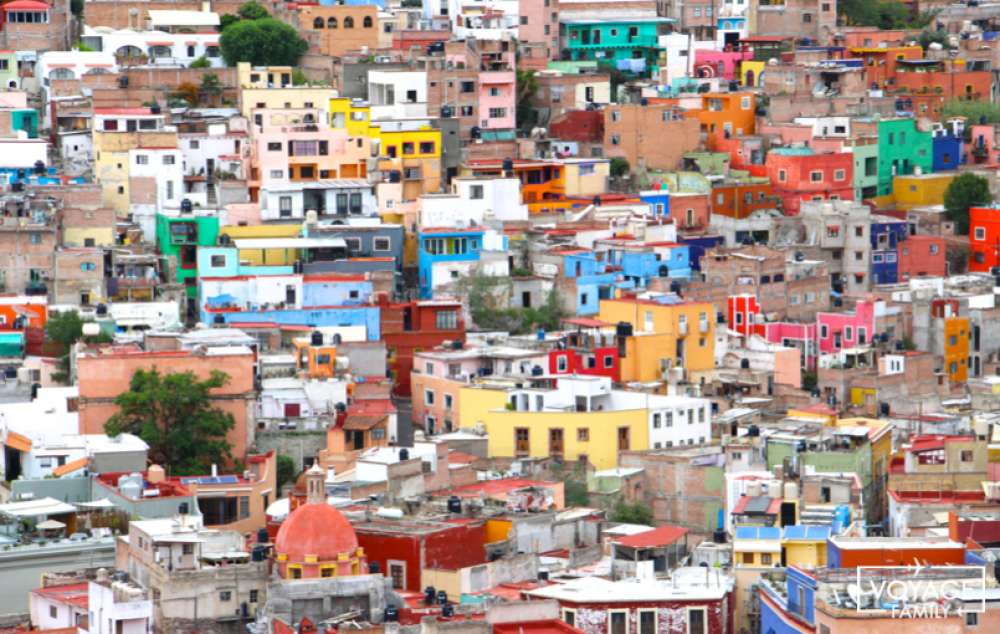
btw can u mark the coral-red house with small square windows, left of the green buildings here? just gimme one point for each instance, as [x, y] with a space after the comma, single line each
[799, 174]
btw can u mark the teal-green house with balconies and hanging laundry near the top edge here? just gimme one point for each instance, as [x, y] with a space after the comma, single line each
[631, 46]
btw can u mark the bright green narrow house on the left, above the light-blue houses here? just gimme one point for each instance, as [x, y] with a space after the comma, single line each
[179, 237]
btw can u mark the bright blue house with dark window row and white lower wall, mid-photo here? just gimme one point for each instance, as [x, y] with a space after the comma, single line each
[437, 249]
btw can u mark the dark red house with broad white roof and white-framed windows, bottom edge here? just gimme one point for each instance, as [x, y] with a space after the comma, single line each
[696, 600]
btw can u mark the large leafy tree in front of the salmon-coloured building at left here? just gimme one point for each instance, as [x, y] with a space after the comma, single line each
[173, 414]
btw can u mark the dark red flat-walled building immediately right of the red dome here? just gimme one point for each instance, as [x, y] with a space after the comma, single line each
[404, 548]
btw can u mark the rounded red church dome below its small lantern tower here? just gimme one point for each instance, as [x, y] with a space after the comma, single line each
[315, 529]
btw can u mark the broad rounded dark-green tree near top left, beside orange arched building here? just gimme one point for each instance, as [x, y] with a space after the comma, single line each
[264, 42]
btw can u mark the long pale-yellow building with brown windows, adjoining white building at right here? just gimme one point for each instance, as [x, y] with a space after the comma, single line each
[514, 432]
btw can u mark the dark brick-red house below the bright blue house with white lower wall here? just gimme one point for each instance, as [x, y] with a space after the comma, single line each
[407, 326]
